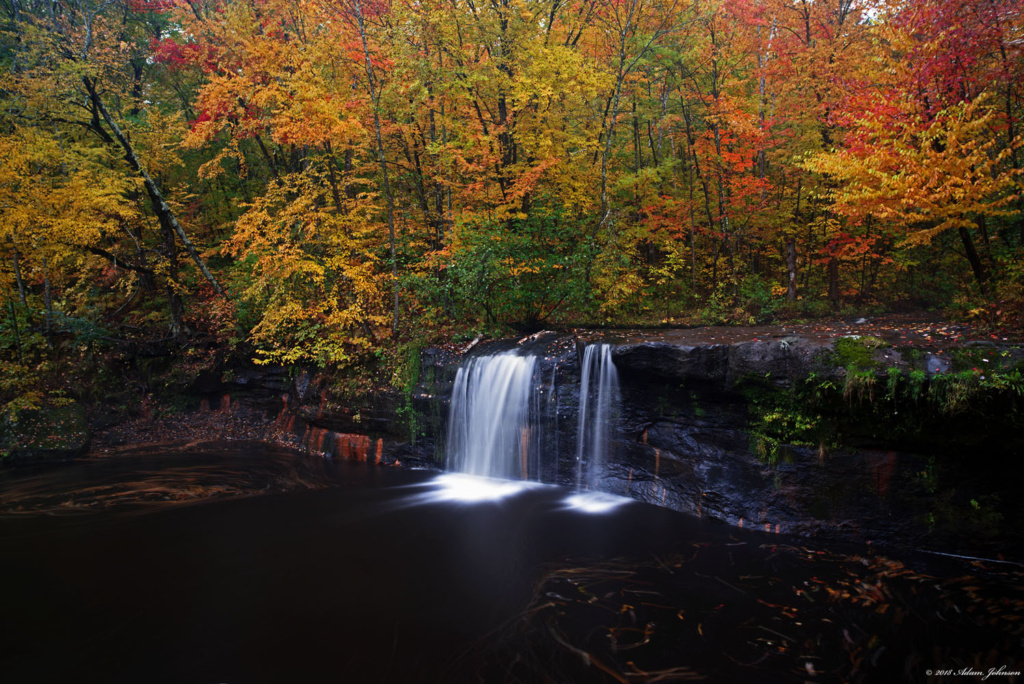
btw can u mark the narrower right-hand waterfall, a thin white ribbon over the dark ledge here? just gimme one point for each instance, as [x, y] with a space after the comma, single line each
[599, 405]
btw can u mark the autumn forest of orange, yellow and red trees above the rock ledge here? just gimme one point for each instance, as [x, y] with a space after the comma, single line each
[319, 182]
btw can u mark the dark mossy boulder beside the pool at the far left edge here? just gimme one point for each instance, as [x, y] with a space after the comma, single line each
[51, 434]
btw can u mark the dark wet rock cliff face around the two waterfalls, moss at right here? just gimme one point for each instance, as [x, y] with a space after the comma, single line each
[718, 431]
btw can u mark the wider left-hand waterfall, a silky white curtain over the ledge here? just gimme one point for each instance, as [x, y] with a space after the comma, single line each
[493, 426]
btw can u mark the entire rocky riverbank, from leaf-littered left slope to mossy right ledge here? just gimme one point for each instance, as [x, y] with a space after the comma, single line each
[864, 431]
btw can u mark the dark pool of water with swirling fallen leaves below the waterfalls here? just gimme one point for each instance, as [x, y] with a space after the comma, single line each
[227, 564]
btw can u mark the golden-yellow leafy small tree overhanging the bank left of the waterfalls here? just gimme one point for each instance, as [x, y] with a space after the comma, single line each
[312, 272]
